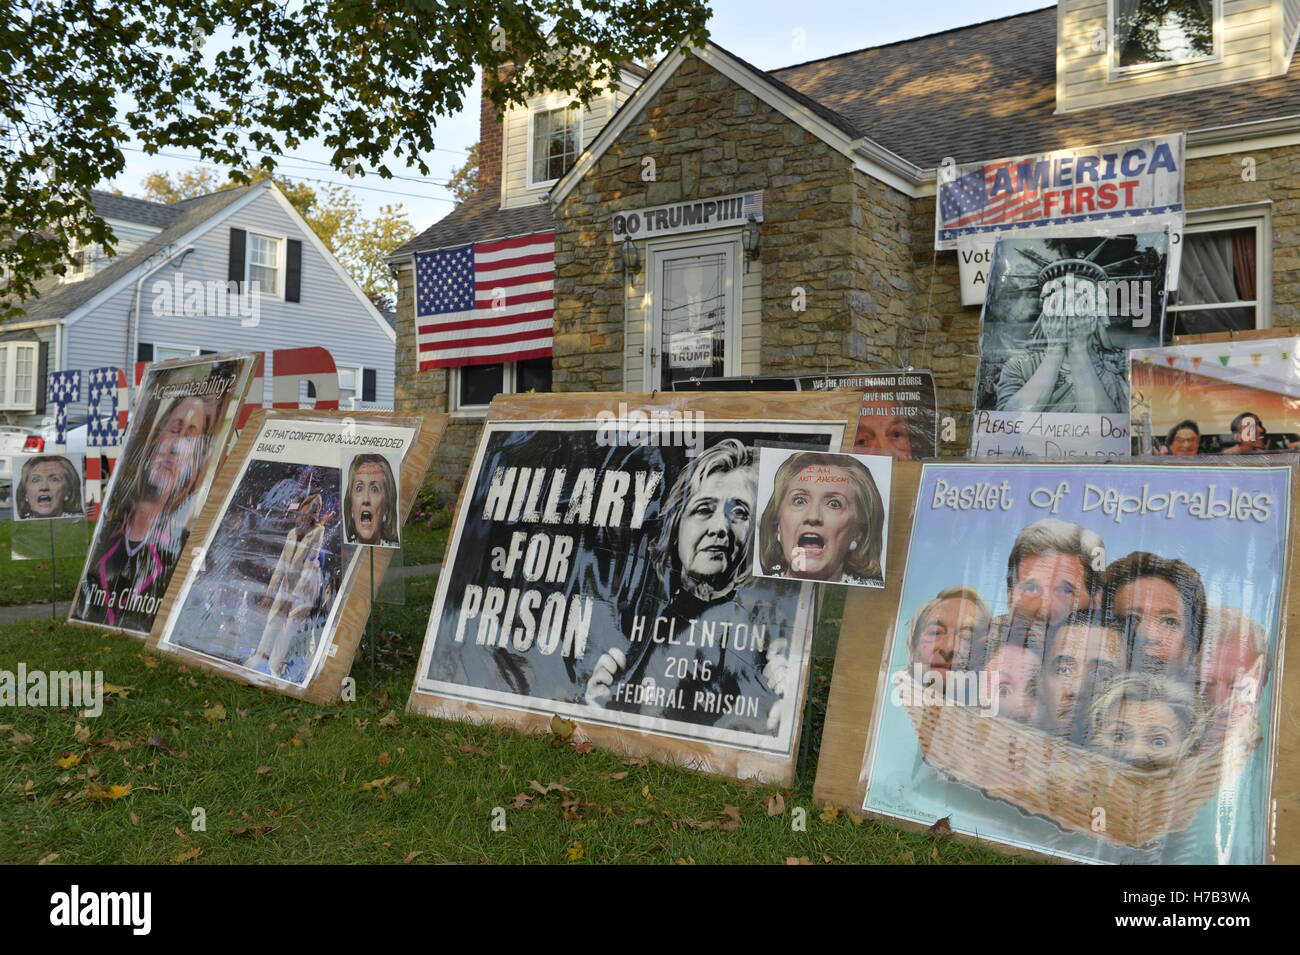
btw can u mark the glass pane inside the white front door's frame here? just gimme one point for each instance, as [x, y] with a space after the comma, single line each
[694, 319]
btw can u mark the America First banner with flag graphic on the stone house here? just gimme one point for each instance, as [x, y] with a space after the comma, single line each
[1099, 186]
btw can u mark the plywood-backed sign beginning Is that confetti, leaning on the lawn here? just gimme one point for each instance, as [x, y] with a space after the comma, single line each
[271, 593]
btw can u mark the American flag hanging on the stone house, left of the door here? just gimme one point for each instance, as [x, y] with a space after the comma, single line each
[487, 302]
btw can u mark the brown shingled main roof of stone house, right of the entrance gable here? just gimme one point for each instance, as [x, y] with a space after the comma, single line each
[986, 92]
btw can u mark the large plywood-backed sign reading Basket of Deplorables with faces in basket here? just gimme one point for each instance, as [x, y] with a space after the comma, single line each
[1082, 662]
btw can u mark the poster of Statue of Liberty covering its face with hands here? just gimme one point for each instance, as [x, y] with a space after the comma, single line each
[1060, 319]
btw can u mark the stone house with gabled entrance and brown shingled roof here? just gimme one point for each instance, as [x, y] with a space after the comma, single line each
[795, 209]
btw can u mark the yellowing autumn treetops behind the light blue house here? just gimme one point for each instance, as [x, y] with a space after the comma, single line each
[361, 244]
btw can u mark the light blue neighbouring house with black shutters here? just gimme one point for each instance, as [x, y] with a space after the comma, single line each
[235, 271]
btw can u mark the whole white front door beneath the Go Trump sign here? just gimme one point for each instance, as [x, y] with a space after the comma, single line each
[694, 315]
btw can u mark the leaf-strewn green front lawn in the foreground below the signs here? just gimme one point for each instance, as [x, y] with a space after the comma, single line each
[363, 783]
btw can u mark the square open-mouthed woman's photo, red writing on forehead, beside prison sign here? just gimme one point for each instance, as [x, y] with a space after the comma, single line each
[824, 516]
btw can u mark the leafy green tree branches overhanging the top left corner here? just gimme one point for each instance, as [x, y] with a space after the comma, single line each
[237, 79]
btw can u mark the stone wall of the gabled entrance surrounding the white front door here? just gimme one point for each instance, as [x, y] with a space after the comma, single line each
[712, 137]
